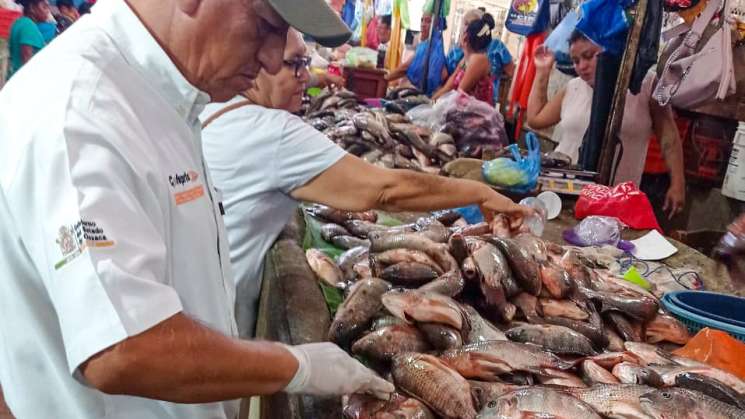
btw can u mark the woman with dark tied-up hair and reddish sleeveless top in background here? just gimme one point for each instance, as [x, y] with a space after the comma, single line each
[473, 74]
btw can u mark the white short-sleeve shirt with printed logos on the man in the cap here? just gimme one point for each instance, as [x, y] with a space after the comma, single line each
[109, 223]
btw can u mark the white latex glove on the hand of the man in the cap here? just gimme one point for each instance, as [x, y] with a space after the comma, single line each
[326, 370]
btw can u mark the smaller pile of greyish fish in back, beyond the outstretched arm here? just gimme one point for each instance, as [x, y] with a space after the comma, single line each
[387, 139]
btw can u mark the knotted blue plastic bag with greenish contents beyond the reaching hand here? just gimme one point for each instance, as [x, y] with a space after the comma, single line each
[518, 174]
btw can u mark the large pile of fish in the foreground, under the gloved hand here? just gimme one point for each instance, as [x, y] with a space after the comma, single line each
[479, 321]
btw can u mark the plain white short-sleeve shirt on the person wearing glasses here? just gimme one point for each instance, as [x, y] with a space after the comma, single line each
[257, 157]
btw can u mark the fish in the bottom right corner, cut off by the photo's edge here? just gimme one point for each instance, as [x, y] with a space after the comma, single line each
[680, 403]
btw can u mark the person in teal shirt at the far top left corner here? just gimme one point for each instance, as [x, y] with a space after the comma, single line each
[26, 38]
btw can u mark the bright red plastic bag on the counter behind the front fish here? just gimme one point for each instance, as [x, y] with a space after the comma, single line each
[625, 202]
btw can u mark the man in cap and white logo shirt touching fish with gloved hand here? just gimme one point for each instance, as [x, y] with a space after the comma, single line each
[116, 291]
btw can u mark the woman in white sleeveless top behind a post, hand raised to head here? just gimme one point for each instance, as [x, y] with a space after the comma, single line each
[570, 111]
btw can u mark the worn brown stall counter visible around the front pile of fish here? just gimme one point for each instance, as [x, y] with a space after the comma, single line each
[293, 308]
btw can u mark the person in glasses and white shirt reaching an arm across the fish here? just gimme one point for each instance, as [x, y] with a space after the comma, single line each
[265, 160]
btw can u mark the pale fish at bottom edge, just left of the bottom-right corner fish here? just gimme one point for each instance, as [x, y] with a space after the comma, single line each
[619, 401]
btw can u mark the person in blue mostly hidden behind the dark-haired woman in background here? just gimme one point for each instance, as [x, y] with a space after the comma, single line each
[500, 58]
